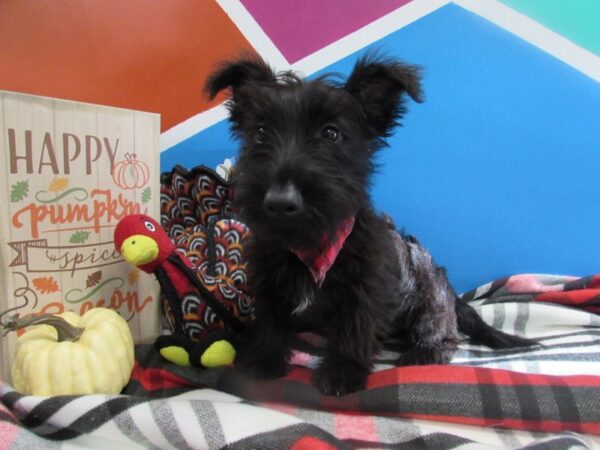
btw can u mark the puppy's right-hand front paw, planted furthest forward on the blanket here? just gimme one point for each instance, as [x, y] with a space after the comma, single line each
[340, 379]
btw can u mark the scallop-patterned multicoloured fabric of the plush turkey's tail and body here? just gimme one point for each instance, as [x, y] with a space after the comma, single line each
[197, 215]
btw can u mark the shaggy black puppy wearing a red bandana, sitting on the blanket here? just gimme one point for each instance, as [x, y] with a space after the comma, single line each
[321, 258]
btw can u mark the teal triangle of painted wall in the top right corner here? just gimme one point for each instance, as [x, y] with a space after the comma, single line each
[577, 20]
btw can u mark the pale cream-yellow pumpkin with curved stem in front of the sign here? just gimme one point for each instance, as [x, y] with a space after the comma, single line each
[69, 354]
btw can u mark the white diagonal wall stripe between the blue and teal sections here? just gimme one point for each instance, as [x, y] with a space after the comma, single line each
[536, 34]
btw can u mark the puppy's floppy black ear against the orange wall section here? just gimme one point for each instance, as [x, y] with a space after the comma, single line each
[234, 74]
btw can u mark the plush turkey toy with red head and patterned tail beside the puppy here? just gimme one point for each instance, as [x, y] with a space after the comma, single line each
[196, 256]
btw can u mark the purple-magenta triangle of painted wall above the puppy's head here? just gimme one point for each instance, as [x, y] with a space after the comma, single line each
[299, 28]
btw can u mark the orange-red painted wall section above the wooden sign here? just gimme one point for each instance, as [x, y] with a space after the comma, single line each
[148, 55]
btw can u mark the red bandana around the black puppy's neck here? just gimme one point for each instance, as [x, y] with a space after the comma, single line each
[320, 258]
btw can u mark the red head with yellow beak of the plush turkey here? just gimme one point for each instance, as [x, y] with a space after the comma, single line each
[142, 242]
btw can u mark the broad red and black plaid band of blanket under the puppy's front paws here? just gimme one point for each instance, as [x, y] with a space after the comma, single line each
[456, 394]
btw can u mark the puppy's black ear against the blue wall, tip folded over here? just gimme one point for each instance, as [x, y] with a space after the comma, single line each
[380, 87]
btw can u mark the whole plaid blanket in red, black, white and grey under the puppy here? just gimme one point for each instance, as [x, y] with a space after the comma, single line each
[548, 397]
